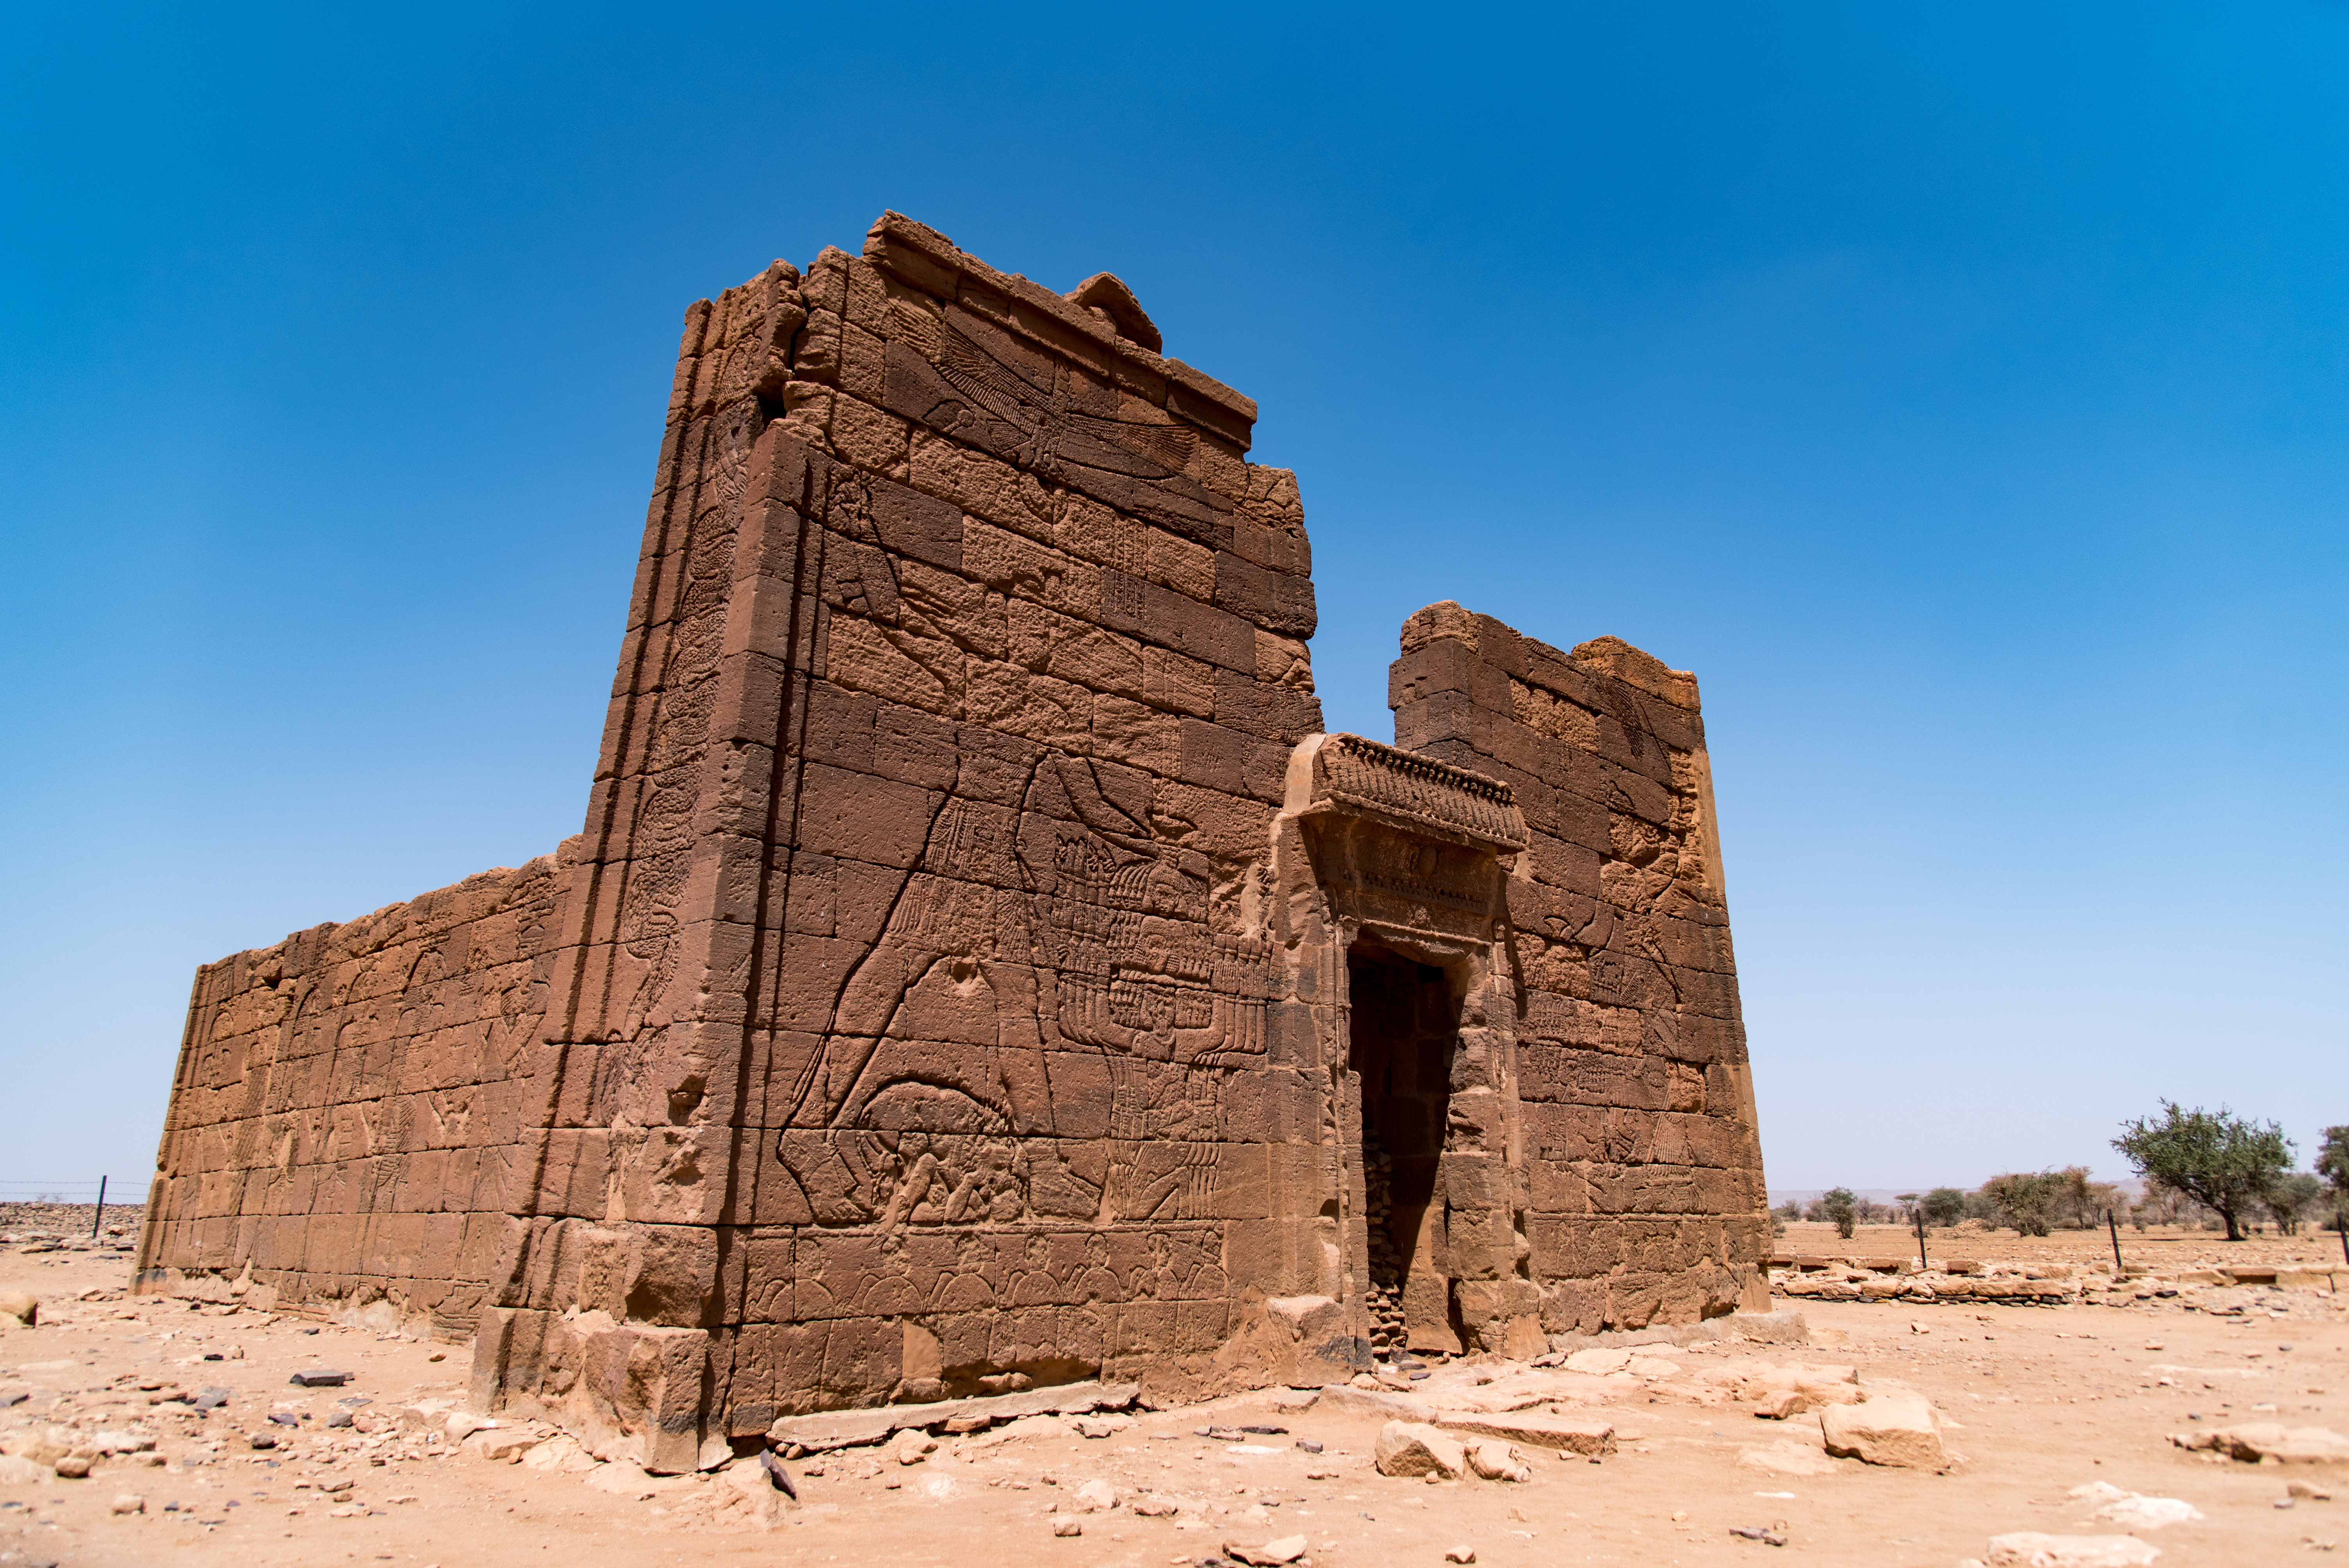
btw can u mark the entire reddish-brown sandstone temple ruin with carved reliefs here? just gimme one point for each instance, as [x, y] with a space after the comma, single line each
[978, 968]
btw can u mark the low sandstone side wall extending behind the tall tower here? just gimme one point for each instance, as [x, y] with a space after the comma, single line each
[349, 1111]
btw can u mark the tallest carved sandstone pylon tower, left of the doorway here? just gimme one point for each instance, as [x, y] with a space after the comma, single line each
[924, 1020]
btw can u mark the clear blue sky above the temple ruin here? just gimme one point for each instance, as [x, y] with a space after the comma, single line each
[1960, 391]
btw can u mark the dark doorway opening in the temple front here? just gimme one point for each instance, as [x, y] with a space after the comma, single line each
[1406, 1022]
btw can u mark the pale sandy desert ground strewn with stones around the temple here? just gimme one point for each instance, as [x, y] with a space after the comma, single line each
[2035, 1403]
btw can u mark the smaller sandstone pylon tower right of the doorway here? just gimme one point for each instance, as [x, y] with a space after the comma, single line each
[1638, 1111]
